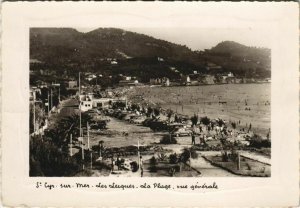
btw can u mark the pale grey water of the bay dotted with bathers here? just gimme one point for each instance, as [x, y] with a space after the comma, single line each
[259, 117]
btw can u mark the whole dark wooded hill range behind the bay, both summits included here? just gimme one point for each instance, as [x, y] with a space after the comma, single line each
[137, 54]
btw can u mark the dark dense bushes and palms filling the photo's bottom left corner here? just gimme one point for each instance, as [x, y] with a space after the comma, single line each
[49, 154]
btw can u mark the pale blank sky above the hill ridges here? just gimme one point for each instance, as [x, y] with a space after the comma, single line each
[200, 39]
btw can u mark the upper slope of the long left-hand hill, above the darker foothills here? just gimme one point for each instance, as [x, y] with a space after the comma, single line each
[65, 45]
